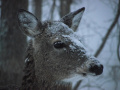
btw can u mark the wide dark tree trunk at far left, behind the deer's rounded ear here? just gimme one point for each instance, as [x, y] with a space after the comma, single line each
[12, 43]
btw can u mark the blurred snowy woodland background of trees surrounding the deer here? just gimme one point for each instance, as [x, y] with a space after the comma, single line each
[99, 31]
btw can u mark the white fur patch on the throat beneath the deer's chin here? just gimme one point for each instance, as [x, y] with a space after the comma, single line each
[73, 79]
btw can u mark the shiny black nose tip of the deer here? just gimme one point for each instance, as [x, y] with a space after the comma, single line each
[97, 69]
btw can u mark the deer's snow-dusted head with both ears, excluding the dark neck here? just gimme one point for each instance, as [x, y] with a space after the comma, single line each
[58, 53]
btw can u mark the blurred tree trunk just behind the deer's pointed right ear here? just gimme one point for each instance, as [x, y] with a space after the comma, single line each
[64, 7]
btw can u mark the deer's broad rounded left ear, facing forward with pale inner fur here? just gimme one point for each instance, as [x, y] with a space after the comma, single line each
[28, 23]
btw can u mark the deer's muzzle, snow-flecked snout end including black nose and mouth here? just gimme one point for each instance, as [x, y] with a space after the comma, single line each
[91, 66]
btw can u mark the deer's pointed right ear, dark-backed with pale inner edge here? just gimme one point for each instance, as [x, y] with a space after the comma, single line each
[73, 19]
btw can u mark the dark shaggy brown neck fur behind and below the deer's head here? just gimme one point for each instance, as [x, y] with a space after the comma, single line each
[29, 80]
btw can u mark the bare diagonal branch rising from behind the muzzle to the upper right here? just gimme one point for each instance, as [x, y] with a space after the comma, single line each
[109, 31]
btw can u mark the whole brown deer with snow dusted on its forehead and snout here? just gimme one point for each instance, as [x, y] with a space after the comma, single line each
[55, 55]
